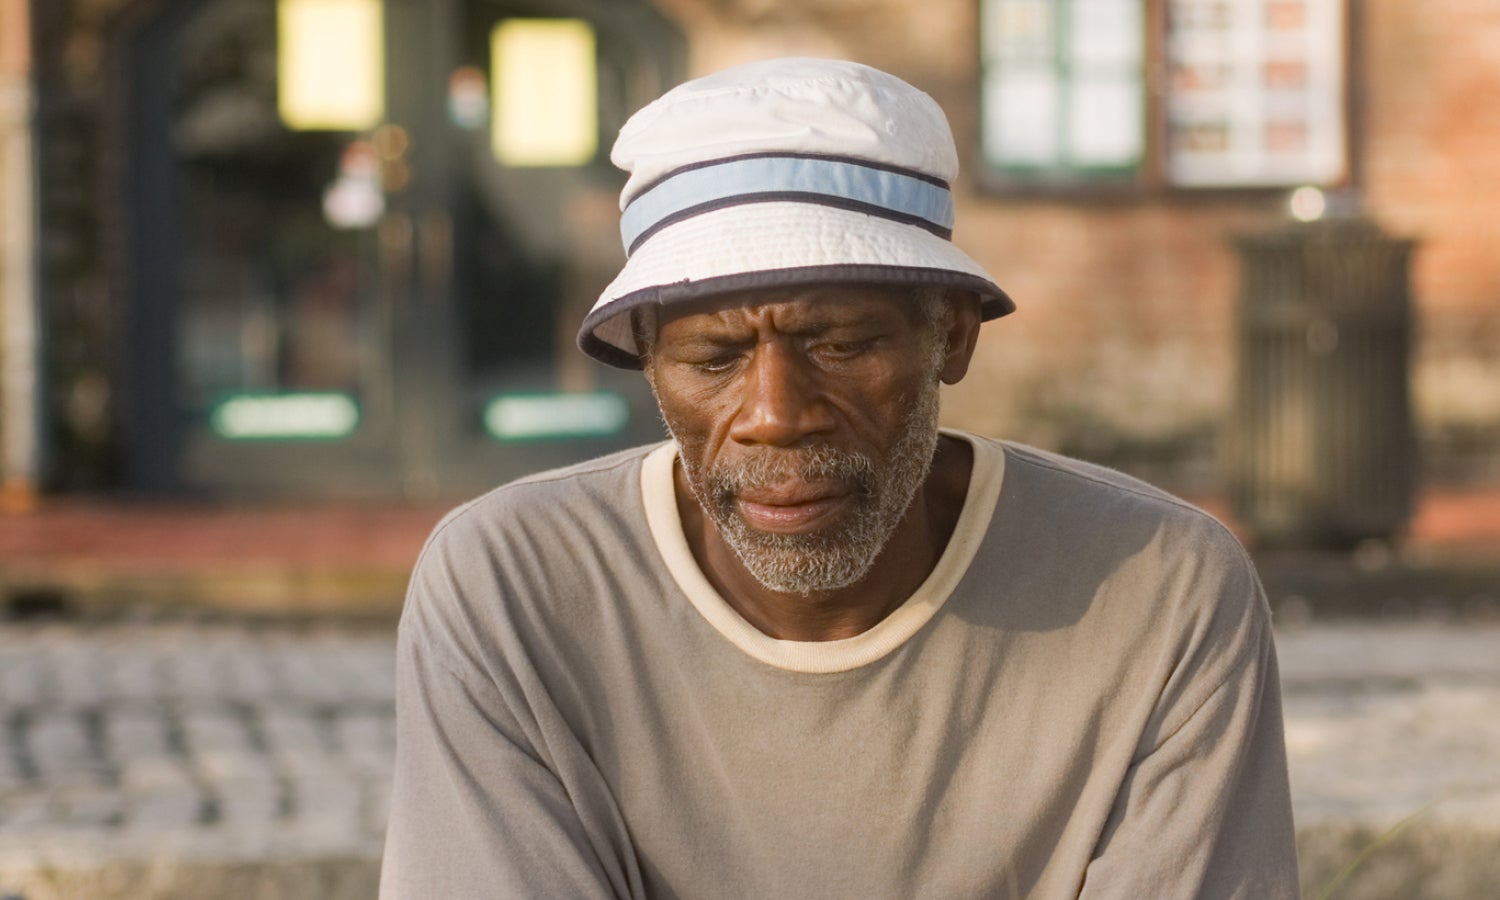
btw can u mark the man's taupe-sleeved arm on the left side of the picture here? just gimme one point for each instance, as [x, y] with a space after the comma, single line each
[493, 794]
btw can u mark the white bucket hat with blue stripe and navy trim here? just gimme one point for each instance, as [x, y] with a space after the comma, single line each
[782, 173]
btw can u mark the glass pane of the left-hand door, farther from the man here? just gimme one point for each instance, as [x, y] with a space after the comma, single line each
[277, 307]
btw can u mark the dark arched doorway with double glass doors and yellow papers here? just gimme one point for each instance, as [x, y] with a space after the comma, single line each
[383, 310]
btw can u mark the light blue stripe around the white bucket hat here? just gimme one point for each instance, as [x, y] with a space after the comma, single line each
[718, 185]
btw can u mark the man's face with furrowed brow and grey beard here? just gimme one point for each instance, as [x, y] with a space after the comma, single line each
[808, 421]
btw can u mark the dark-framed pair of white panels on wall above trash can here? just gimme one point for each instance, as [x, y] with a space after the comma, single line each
[1243, 94]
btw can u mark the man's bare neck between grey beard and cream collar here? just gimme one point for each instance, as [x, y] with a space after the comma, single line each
[902, 566]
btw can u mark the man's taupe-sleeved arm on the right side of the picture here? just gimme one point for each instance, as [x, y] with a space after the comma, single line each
[1205, 809]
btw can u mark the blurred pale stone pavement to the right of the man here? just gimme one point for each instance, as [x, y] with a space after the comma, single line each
[1393, 721]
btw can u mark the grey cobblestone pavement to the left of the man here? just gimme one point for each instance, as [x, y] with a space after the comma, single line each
[193, 740]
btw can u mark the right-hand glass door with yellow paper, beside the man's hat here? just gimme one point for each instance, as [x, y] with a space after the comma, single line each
[529, 98]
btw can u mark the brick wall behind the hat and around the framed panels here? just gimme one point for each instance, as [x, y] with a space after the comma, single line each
[1124, 343]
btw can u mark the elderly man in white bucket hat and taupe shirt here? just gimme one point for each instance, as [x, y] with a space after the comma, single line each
[817, 646]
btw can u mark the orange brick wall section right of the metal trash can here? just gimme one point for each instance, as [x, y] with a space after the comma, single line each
[1432, 170]
